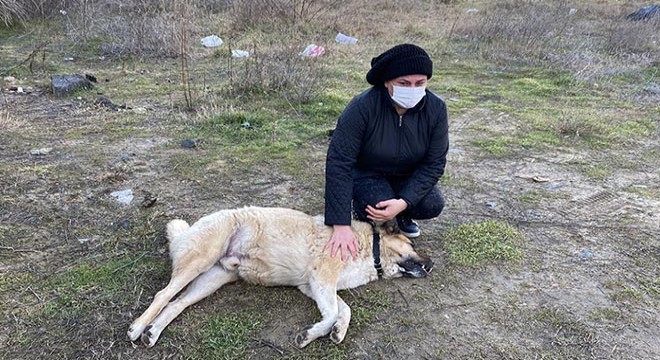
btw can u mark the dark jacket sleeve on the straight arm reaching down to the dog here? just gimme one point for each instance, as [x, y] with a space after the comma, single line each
[342, 156]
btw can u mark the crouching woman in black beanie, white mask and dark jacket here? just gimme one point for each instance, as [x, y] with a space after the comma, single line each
[388, 150]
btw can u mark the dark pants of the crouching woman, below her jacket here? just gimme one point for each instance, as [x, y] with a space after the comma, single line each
[374, 189]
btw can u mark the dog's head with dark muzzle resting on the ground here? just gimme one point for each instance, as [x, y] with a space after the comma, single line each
[399, 257]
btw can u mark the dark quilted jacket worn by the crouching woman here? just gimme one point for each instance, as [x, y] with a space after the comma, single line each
[372, 139]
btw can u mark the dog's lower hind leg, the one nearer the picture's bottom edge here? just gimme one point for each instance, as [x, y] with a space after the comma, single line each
[203, 286]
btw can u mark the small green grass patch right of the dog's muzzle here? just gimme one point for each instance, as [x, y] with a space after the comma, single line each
[483, 243]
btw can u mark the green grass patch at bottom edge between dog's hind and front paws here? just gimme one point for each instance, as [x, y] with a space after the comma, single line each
[227, 335]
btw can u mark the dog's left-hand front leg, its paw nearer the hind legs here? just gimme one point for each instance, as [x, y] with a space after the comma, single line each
[325, 296]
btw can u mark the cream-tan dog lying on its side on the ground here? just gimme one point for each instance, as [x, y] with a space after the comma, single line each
[271, 246]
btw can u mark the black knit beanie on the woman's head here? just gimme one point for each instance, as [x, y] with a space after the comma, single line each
[404, 59]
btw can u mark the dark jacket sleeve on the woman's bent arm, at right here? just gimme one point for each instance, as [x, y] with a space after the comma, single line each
[432, 166]
